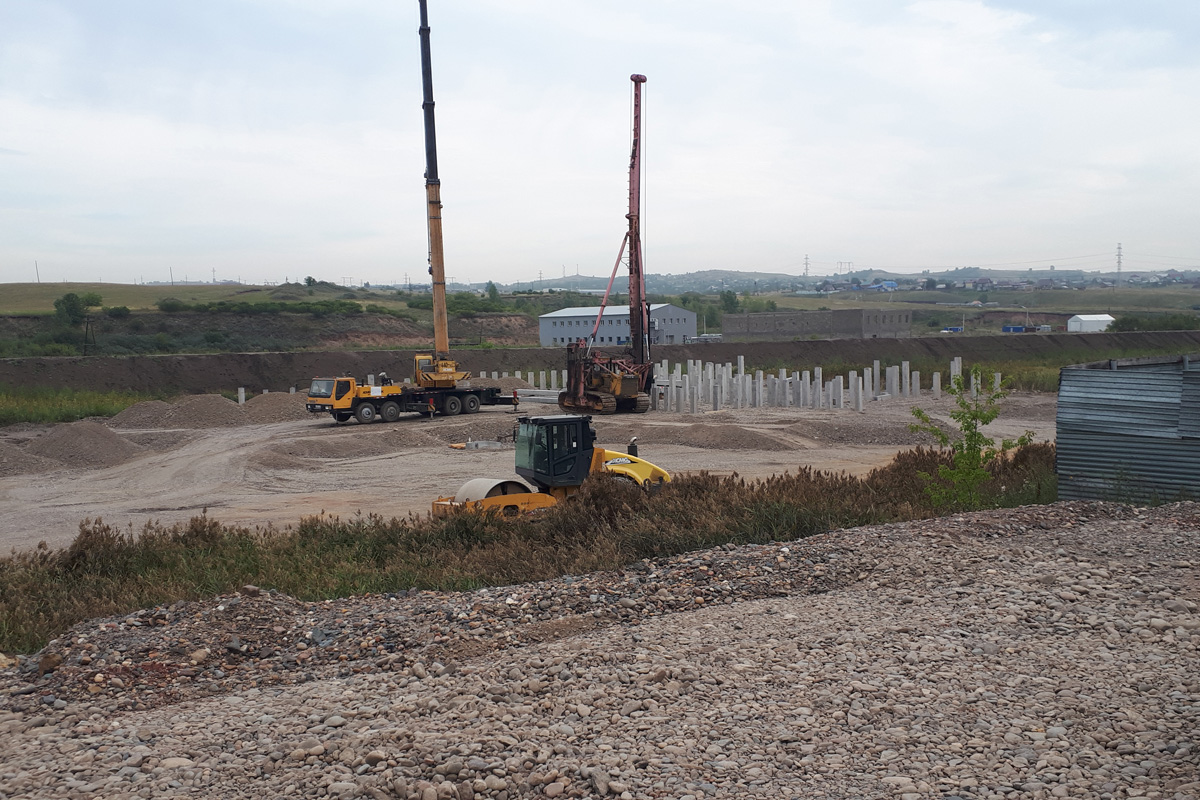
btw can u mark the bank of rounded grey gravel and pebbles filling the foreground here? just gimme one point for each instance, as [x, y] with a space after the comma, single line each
[1041, 653]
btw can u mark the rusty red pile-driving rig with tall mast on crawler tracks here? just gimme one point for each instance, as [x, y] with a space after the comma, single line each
[608, 384]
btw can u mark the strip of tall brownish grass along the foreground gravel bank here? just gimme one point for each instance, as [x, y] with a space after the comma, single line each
[609, 525]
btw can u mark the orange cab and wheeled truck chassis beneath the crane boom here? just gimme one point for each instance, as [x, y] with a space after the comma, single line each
[345, 399]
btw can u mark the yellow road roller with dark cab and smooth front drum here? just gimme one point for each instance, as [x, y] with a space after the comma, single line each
[555, 454]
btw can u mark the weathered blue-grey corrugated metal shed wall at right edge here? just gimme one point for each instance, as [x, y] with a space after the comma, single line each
[1130, 435]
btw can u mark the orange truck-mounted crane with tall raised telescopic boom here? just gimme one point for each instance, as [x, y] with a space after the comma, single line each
[439, 386]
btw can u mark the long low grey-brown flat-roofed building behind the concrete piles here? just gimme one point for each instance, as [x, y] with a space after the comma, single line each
[838, 324]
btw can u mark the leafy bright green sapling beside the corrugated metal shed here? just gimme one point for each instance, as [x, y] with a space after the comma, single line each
[958, 488]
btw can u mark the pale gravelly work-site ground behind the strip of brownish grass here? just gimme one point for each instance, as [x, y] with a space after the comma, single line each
[170, 462]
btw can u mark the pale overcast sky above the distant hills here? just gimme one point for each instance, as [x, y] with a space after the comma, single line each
[272, 140]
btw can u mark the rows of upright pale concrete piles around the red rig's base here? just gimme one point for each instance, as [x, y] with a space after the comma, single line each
[697, 386]
